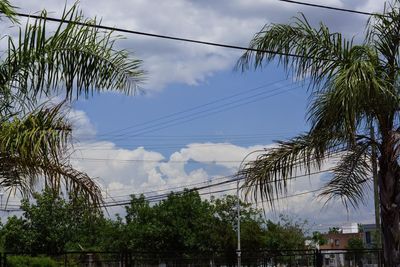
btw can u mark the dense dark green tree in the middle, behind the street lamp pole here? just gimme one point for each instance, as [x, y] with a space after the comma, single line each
[187, 225]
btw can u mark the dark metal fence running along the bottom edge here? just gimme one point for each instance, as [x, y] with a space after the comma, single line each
[283, 258]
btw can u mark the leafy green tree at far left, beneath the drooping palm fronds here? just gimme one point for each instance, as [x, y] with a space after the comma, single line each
[53, 225]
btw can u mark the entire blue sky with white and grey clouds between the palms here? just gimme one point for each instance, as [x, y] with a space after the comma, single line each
[199, 117]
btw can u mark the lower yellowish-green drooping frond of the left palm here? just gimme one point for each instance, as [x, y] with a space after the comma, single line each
[33, 147]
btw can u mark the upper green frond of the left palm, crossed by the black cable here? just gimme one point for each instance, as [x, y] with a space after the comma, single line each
[74, 58]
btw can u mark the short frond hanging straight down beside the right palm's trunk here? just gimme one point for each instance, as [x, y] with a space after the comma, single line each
[351, 177]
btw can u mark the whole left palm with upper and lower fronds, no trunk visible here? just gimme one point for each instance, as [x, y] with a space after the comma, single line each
[75, 60]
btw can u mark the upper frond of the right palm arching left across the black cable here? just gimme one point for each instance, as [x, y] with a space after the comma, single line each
[318, 50]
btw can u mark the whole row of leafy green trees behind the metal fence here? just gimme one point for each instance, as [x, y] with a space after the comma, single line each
[182, 223]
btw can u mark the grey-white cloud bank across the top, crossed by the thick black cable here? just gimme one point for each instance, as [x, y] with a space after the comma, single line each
[231, 22]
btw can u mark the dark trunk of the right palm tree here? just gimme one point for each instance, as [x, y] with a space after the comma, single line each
[389, 193]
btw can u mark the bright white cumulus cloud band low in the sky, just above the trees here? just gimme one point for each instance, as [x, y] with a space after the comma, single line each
[122, 172]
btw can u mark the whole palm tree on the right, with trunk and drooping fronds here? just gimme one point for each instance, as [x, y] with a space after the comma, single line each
[353, 87]
